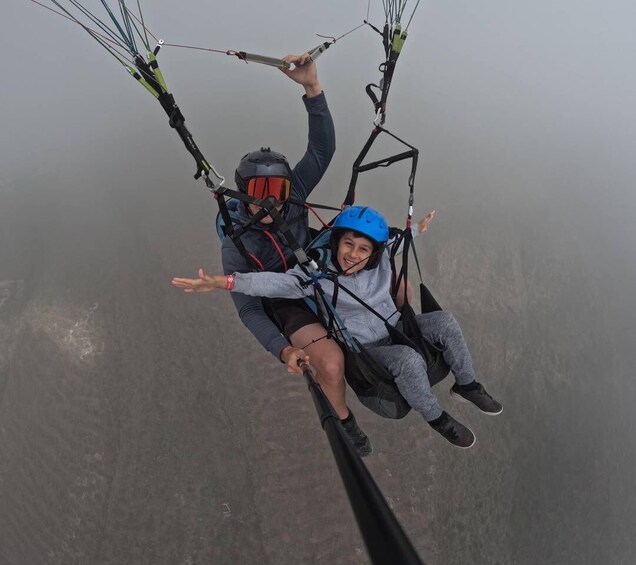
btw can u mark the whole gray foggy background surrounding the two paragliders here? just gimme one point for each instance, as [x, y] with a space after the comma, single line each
[142, 425]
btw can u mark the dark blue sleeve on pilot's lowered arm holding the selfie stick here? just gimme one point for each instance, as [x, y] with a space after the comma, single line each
[250, 308]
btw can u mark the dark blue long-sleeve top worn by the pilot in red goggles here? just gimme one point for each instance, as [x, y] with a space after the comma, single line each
[305, 176]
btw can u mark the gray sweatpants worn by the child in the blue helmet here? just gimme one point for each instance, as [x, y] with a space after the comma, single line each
[409, 367]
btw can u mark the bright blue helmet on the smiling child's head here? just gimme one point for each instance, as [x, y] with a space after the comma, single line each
[366, 222]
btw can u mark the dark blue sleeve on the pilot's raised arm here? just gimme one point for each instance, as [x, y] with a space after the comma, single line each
[320, 147]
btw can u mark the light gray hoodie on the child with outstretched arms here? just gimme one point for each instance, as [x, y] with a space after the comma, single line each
[373, 287]
